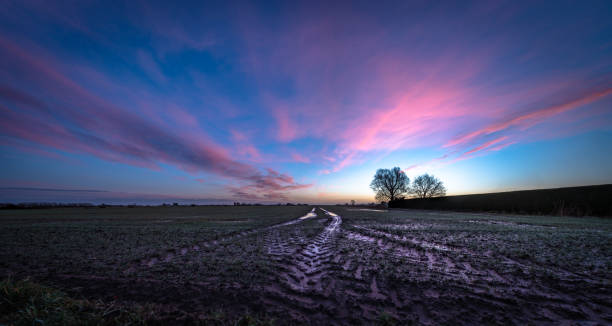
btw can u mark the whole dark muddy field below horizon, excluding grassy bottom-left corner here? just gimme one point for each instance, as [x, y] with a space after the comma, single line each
[320, 265]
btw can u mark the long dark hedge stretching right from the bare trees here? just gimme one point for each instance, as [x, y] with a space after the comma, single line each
[571, 201]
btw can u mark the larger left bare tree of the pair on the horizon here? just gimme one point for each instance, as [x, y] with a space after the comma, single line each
[390, 184]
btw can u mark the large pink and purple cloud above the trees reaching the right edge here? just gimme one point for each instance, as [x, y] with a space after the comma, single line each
[368, 95]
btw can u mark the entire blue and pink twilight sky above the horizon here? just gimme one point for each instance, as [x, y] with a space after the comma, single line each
[301, 101]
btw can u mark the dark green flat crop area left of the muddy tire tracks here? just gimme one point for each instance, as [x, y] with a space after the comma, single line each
[104, 241]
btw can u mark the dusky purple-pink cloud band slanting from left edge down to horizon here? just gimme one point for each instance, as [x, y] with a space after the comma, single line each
[74, 119]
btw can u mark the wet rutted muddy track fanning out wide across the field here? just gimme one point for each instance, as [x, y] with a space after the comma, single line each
[321, 269]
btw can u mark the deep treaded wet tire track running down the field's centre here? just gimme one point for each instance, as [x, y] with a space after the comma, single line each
[319, 284]
